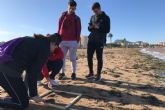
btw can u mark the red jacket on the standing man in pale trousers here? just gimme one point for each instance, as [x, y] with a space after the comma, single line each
[69, 27]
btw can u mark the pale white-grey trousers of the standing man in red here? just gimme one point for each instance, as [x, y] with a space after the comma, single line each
[70, 46]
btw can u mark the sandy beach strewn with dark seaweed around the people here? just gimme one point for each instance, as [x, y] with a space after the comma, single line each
[130, 81]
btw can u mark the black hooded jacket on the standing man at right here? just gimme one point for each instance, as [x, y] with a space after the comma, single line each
[103, 22]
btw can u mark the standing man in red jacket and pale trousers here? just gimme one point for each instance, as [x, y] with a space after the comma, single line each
[69, 29]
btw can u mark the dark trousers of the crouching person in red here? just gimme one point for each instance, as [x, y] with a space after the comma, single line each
[54, 67]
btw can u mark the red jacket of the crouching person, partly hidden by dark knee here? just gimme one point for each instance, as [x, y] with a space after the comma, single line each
[56, 55]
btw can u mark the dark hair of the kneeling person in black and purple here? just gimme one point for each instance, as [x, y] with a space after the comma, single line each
[51, 37]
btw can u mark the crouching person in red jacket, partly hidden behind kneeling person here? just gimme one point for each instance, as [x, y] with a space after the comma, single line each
[53, 65]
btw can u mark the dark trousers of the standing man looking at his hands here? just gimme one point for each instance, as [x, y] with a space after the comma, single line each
[92, 47]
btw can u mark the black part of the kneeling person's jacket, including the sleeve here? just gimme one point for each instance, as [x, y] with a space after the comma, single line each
[30, 55]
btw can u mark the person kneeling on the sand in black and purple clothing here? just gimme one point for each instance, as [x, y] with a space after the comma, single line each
[21, 54]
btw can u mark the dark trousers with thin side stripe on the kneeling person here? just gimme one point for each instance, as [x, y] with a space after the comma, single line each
[16, 89]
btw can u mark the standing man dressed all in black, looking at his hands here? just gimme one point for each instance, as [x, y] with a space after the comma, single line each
[99, 26]
